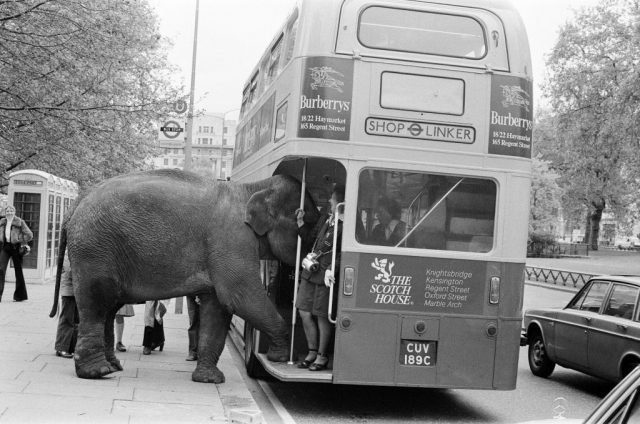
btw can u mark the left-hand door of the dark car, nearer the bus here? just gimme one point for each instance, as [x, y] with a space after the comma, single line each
[573, 325]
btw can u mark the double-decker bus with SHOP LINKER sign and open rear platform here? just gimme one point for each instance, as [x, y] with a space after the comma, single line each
[425, 106]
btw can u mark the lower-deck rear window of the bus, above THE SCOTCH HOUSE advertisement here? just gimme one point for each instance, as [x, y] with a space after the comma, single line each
[426, 211]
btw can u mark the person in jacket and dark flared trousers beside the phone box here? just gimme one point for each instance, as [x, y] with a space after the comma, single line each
[14, 236]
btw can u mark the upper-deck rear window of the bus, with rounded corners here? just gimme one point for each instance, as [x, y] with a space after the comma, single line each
[421, 32]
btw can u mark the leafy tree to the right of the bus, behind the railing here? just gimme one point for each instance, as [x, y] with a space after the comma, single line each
[592, 86]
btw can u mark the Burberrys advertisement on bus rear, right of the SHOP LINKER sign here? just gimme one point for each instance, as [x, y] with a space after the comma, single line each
[511, 116]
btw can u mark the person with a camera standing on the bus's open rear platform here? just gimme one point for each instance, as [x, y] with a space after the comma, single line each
[313, 300]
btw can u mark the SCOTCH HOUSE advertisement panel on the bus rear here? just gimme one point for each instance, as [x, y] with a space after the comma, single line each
[419, 285]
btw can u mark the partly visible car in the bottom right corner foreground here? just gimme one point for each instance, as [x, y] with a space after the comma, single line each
[620, 406]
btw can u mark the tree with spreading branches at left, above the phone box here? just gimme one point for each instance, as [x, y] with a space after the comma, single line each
[83, 84]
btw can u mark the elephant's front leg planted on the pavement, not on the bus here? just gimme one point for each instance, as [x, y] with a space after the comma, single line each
[212, 334]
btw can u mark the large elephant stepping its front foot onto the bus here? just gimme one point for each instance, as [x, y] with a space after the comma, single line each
[169, 233]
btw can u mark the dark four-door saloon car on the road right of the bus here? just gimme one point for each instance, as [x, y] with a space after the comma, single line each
[597, 333]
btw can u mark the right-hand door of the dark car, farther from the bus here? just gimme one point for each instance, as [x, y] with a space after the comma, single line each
[612, 332]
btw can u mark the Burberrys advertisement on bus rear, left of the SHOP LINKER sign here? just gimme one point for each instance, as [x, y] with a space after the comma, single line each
[325, 99]
